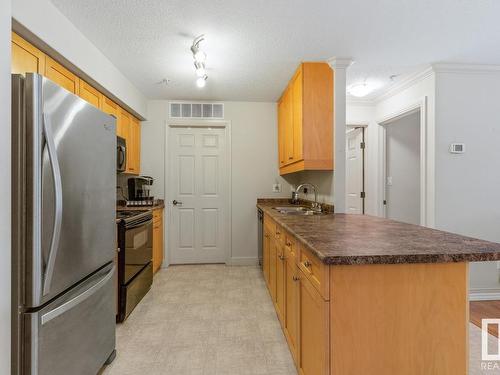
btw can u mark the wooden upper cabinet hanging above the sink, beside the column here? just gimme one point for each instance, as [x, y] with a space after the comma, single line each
[305, 120]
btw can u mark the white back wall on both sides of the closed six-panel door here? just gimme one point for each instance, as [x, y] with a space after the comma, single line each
[254, 165]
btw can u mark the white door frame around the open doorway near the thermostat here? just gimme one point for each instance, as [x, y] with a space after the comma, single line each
[417, 106]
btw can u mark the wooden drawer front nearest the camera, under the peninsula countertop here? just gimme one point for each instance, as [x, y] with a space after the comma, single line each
[316, 272]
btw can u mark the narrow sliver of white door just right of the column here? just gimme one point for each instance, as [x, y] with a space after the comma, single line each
[354, 171]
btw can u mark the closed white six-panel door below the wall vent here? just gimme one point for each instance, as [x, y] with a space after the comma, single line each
[198, 191]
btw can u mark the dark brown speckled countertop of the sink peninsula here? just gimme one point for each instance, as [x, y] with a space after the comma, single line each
[356, 239]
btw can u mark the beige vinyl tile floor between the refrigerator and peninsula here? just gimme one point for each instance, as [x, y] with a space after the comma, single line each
[214, 320]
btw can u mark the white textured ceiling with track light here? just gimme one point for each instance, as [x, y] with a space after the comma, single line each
[253, 47]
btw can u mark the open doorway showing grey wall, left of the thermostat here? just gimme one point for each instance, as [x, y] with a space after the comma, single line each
[402, 168]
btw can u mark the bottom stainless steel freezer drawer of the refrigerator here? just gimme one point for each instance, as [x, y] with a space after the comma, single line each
[75, 333]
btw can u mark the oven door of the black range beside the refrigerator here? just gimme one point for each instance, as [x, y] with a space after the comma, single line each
[138, 248]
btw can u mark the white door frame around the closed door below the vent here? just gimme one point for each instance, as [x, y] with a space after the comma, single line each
[192, 123]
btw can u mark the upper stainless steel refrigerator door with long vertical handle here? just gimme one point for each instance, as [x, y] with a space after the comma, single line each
[71, 182]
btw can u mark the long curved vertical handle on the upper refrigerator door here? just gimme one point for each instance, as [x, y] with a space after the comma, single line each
[56, 234]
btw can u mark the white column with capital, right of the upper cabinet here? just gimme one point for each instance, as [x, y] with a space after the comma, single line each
[339, 66]
